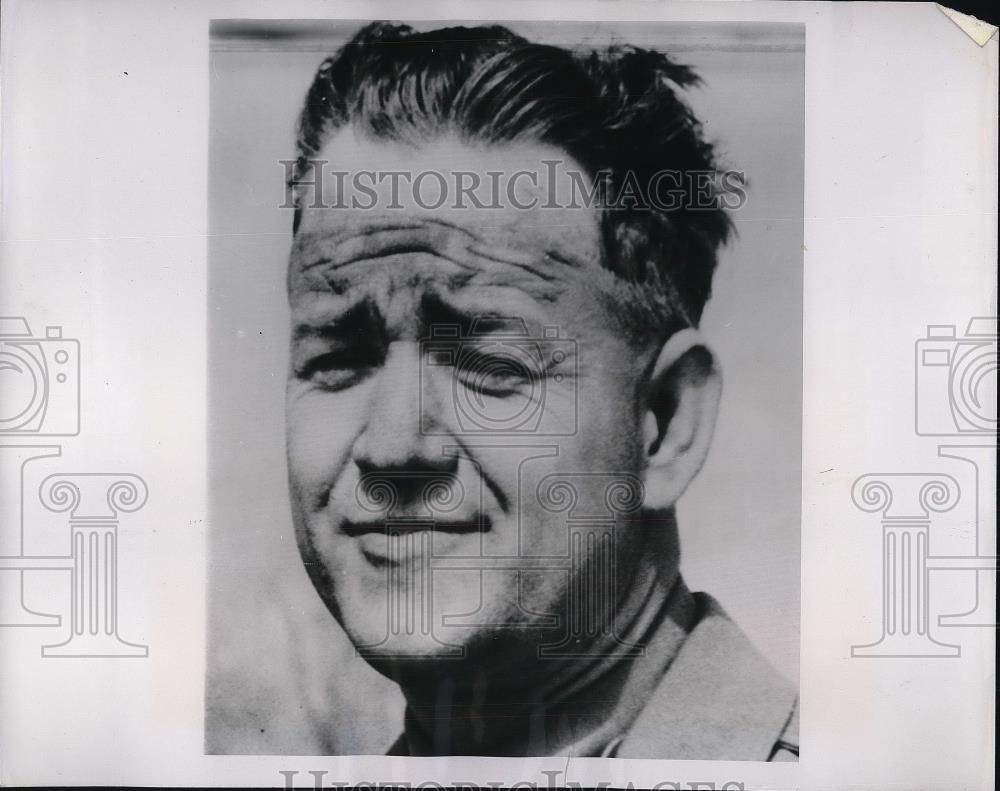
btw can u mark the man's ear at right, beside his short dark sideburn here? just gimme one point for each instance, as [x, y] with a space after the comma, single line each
[681, 402]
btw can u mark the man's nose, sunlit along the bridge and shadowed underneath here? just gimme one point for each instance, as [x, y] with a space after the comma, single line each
[393, 438]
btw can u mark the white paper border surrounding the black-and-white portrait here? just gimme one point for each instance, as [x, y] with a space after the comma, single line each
[104, 230]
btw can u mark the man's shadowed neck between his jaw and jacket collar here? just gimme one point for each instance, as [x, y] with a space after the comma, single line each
[571, 703]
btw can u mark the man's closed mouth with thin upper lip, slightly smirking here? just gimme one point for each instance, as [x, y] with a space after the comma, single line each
[394, 542]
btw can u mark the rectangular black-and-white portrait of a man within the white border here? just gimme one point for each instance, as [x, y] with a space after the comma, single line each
[469, 426]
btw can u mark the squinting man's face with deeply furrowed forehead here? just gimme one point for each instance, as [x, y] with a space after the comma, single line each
[446, 364]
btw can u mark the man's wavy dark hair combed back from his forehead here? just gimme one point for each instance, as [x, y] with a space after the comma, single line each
[615, 110]
